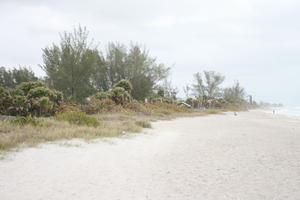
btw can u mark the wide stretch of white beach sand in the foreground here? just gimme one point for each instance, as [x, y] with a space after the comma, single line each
[250, 156]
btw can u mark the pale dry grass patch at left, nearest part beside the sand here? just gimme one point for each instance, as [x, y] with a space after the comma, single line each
[12, 136]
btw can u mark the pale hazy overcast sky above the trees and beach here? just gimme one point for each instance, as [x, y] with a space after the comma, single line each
[254, 41]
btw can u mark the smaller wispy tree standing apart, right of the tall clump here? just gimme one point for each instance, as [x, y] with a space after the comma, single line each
[209, 86]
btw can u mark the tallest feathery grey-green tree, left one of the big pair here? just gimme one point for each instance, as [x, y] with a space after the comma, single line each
[69, 66]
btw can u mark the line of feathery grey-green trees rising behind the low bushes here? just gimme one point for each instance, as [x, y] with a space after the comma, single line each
[76, 67]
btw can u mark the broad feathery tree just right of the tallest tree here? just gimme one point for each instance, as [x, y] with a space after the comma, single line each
[136, 66]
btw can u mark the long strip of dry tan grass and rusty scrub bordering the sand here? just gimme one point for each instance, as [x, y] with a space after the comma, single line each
[127, 121]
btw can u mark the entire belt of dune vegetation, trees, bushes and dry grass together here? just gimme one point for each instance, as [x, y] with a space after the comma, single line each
[90, 94]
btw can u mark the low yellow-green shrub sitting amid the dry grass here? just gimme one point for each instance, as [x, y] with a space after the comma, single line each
[78, 118]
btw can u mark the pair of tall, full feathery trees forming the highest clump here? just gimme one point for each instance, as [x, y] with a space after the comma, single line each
[78, 69]
